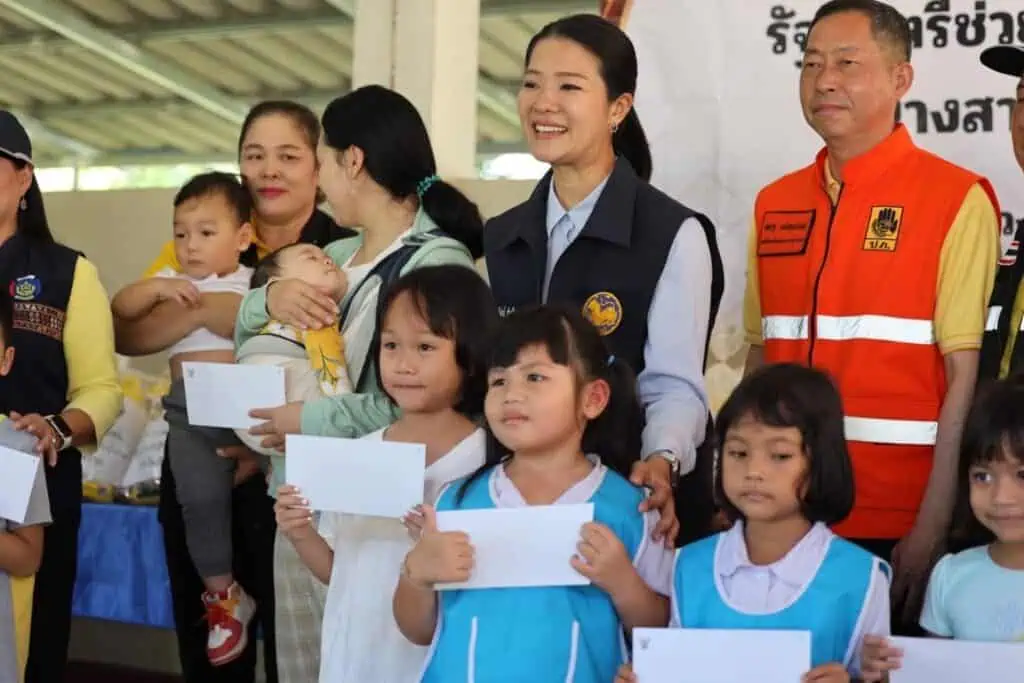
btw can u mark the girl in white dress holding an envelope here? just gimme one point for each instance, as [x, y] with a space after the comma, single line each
[431, 352]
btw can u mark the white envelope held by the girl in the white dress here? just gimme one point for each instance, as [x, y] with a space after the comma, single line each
[359, 477]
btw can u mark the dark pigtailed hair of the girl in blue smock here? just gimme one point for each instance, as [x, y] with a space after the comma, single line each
[573, 341]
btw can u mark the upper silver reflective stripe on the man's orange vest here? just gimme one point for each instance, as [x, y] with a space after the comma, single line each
[845, 328]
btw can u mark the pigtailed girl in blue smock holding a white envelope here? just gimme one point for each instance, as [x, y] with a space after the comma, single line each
[561, 413]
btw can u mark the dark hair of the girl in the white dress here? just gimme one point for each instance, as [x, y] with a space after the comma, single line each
[456, 305]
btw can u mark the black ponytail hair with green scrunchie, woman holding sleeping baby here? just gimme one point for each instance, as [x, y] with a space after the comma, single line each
[399, 157]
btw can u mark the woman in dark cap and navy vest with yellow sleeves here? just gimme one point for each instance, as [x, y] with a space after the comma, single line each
[63, 388]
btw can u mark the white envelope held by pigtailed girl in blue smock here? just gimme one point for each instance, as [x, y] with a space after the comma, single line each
[521, 547]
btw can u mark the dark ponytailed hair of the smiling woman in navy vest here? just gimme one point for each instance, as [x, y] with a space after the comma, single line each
[619, 70]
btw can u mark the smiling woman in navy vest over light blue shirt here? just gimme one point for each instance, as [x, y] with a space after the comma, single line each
[642, 267]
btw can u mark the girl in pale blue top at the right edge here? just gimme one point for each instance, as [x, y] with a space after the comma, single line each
[978, 593]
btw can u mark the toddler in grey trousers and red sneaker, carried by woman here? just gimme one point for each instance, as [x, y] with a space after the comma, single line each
[211, 232]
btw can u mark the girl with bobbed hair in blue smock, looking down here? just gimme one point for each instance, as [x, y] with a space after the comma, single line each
[784, 477]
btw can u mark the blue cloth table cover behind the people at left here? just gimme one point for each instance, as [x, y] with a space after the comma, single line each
[122, 571]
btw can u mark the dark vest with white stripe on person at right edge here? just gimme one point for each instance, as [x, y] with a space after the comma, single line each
[998, 323]
